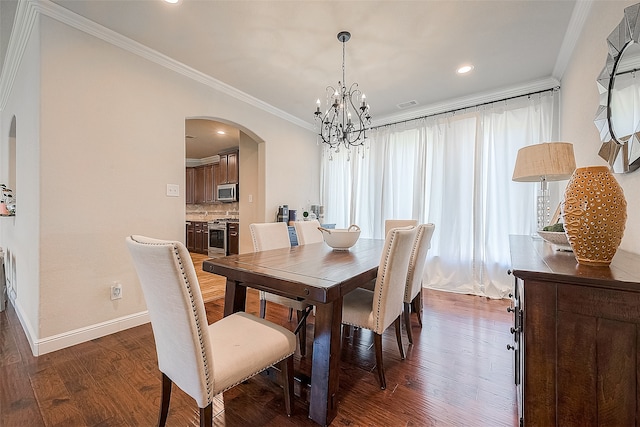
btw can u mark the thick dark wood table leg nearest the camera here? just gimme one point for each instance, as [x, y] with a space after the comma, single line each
[325, 370]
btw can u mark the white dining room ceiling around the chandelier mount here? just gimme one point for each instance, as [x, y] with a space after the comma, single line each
[285, 53]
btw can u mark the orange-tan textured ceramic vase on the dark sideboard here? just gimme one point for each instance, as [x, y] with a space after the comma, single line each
[595, 214]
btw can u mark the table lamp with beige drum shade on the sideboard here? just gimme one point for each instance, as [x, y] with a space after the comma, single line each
[549, 161]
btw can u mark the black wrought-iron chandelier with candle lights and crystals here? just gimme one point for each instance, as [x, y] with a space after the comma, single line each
[347, 116]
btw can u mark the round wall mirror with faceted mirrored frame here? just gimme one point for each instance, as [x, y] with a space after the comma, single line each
[618, 116]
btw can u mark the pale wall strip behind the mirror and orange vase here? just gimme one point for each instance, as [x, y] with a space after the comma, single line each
[580, 100]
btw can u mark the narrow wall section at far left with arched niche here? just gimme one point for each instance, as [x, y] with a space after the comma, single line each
[19, 236]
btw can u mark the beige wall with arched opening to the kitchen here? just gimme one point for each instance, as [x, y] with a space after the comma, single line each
[111, 136]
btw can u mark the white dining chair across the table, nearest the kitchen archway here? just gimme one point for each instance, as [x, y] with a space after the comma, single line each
[275, 235]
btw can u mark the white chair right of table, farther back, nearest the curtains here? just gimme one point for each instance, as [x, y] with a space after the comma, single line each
[413, 287]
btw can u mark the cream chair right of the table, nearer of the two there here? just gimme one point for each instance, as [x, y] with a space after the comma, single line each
[376, 310]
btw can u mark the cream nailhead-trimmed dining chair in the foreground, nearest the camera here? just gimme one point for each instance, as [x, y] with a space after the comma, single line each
[203, 360]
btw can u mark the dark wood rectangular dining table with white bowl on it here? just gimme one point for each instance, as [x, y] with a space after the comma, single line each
[319, 275]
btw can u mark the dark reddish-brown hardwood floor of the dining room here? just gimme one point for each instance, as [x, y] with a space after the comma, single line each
[457, 373]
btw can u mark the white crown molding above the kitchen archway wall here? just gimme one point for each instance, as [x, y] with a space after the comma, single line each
[24, 24]
